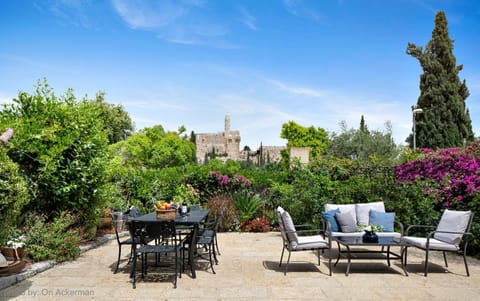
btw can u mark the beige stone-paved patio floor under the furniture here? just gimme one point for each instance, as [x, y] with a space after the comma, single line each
[248, 270]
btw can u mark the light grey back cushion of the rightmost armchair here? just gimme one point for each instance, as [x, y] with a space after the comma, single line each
[452, 221]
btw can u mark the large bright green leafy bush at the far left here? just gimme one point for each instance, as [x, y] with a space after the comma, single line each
[60, 147]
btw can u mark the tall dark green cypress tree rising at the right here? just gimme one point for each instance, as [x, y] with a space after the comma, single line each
[445, 121]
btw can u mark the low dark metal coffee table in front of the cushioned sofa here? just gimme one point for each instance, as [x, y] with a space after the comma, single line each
[383, 241]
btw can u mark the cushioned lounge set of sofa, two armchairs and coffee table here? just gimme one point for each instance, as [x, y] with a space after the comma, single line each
[343, 224]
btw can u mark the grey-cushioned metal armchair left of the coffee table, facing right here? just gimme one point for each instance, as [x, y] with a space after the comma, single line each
[294, 240]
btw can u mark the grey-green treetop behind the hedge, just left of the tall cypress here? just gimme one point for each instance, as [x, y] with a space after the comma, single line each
[363, 144]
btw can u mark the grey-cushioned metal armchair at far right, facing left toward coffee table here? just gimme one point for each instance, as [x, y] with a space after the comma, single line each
[450, 235]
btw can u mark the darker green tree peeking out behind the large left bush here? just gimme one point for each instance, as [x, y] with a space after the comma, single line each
[117, 122]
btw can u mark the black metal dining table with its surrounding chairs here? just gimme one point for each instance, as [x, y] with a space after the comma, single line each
[175, 242]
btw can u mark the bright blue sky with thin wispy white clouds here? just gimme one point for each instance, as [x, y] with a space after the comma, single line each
[265, 62]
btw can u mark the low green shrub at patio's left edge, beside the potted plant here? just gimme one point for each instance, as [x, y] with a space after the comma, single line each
[54, 240]
